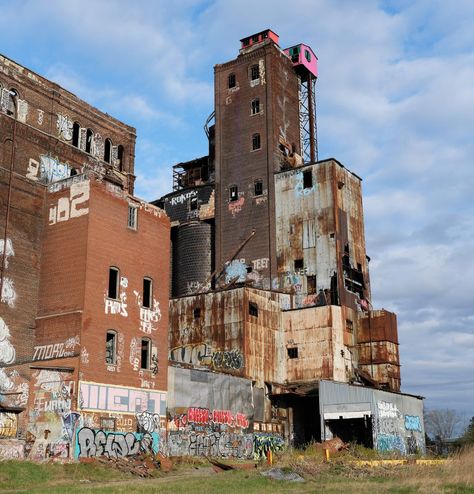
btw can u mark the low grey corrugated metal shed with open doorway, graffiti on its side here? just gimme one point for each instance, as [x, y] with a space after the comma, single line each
[397, 419]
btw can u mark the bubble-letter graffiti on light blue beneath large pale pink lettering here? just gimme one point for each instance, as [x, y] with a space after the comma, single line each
[93, 443]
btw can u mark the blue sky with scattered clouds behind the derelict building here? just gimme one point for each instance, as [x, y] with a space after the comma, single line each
[395, 105]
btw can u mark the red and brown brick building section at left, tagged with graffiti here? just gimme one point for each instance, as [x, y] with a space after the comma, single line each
[83, 341]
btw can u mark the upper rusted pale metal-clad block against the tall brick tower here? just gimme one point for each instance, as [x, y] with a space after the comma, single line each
[319, 224]
